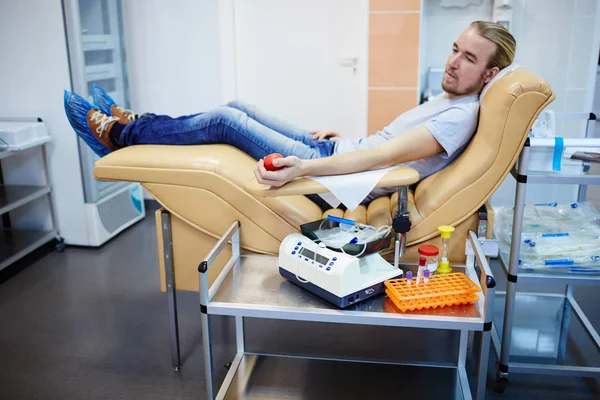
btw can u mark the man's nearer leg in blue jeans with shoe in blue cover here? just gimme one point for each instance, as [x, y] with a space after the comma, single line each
[104, 133]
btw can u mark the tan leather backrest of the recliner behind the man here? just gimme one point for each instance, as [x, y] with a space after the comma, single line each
[505, 116]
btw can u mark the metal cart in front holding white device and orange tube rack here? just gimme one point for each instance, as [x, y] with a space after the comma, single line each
[249, 286]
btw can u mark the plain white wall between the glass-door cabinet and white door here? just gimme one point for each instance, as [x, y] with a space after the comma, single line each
[174, 60]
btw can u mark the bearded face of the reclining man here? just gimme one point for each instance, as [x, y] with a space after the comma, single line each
[466, 68]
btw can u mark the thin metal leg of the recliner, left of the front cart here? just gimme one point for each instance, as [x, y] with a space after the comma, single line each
[171, 289]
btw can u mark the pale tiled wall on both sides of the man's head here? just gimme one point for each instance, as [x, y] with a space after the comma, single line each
[557, 39]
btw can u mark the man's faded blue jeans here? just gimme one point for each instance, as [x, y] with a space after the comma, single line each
[237, 124]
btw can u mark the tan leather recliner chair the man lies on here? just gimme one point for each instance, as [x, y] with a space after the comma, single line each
[206, 188]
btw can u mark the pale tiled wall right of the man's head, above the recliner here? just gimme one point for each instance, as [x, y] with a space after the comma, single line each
[558, 39]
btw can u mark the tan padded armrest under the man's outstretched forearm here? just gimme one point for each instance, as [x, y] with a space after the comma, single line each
[400, 176]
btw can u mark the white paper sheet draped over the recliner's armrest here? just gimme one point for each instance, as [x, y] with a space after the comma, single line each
[350, 189]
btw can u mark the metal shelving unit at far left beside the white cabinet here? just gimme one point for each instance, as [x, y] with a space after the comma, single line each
[16, 243]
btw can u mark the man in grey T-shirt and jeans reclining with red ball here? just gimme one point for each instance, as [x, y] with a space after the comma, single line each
[426, 138]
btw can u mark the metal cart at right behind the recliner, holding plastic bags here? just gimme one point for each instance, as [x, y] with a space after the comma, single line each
[547, 357]
